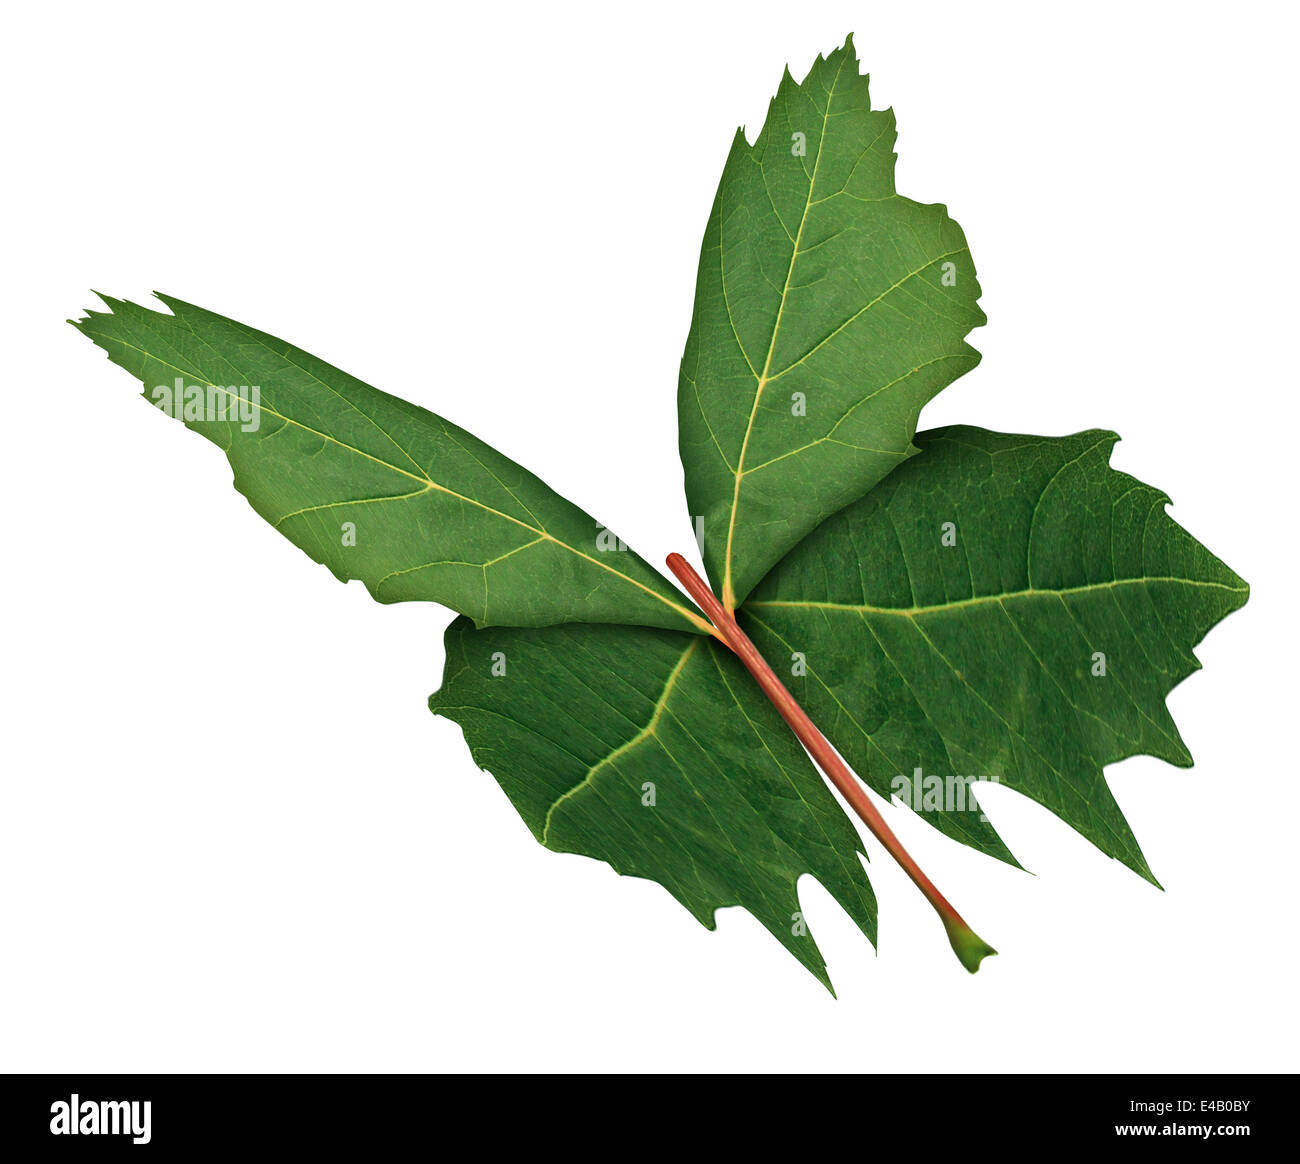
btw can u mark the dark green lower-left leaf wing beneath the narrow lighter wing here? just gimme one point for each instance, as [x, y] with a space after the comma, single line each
[583, 726]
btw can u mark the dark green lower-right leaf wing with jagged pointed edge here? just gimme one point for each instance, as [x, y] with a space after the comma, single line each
[1002, 608]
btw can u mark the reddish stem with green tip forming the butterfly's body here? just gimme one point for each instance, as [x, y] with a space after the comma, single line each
[967, 945]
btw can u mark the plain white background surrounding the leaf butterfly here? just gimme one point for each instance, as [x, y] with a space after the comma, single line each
[231, 834]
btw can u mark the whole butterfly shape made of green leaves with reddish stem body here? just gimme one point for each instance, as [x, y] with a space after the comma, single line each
[998, 608]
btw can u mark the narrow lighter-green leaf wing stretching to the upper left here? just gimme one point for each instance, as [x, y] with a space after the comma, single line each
[379, 490]
